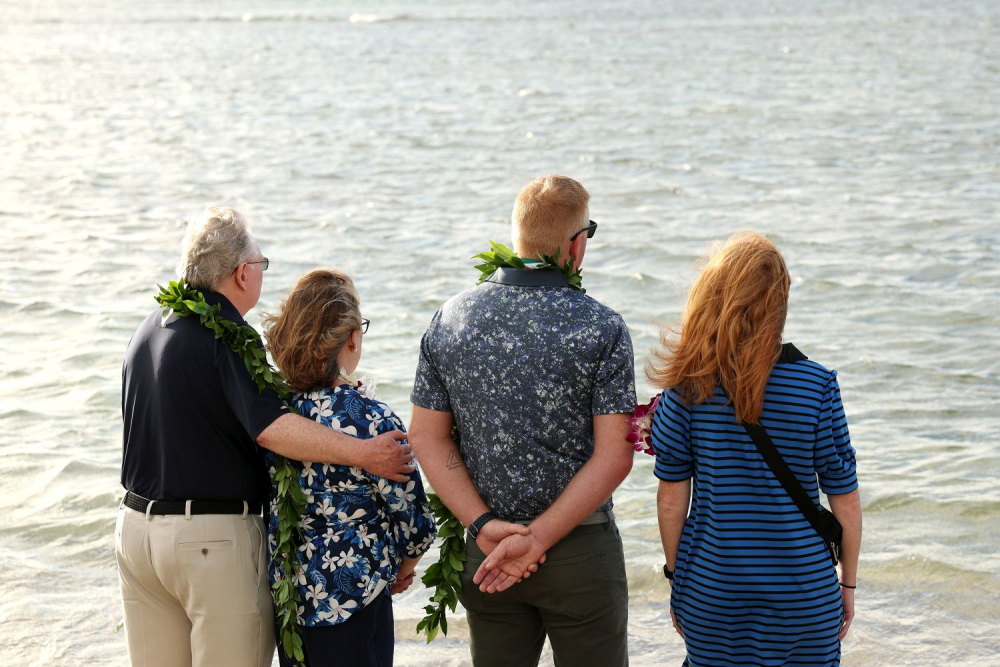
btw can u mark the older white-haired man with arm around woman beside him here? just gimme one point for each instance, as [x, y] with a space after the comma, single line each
[190, 539]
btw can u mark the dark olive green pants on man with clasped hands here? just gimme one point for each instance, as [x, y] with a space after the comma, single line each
[578, 598]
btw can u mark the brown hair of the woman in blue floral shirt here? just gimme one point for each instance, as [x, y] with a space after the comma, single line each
[311, 328]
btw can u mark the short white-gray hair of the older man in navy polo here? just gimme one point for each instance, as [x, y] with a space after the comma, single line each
[214, 247]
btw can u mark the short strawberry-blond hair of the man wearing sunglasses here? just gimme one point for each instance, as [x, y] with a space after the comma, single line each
[547, 212]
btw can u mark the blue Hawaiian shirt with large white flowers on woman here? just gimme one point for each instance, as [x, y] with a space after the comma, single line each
[358, 527]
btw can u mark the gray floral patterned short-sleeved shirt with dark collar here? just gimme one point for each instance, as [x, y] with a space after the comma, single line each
[524, 363]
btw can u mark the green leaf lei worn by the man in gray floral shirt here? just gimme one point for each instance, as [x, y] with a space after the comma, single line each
[445, 575]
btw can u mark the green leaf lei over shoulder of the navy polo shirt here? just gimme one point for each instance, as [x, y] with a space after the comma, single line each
[291, 501]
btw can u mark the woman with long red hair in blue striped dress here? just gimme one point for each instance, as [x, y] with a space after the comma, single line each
[753, 582]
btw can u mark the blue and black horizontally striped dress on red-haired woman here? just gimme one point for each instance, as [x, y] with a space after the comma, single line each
[753, 583]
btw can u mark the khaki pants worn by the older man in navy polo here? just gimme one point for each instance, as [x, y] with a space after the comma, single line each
[195, 590]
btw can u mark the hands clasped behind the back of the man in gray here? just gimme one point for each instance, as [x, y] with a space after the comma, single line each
[512, 555]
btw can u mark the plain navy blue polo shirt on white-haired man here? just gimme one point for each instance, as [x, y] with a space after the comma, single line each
[192, 413]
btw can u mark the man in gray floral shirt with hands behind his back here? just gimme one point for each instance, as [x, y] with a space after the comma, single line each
[538, 378]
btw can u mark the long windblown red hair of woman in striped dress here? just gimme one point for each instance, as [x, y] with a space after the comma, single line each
[730, 334]
